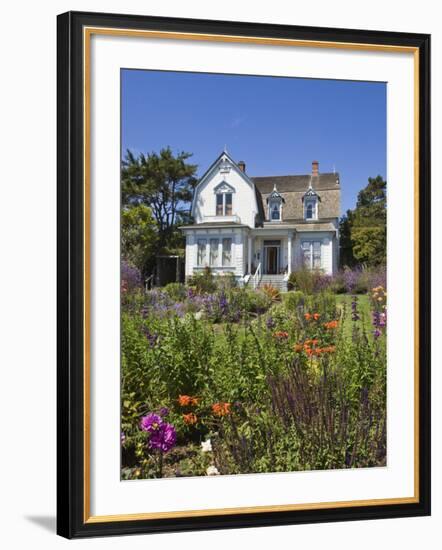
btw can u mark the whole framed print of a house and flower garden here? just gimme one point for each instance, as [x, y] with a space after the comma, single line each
[243, 308]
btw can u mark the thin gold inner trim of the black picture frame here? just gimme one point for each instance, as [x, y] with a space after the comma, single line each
[87, 34]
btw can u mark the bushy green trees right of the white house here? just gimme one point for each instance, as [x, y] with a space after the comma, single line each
[364, 229]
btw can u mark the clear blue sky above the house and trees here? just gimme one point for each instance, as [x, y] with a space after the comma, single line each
[276, 125]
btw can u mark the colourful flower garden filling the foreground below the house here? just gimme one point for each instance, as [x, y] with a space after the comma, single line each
[230, 381]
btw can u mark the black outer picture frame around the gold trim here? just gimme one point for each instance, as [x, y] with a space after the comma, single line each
[71, 520]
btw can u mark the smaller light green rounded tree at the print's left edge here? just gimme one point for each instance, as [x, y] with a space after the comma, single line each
[139, 236]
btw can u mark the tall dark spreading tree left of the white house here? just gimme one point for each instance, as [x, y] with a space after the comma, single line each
[164, 182]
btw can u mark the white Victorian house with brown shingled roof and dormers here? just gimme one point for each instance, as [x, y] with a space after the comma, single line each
[262, 228]
